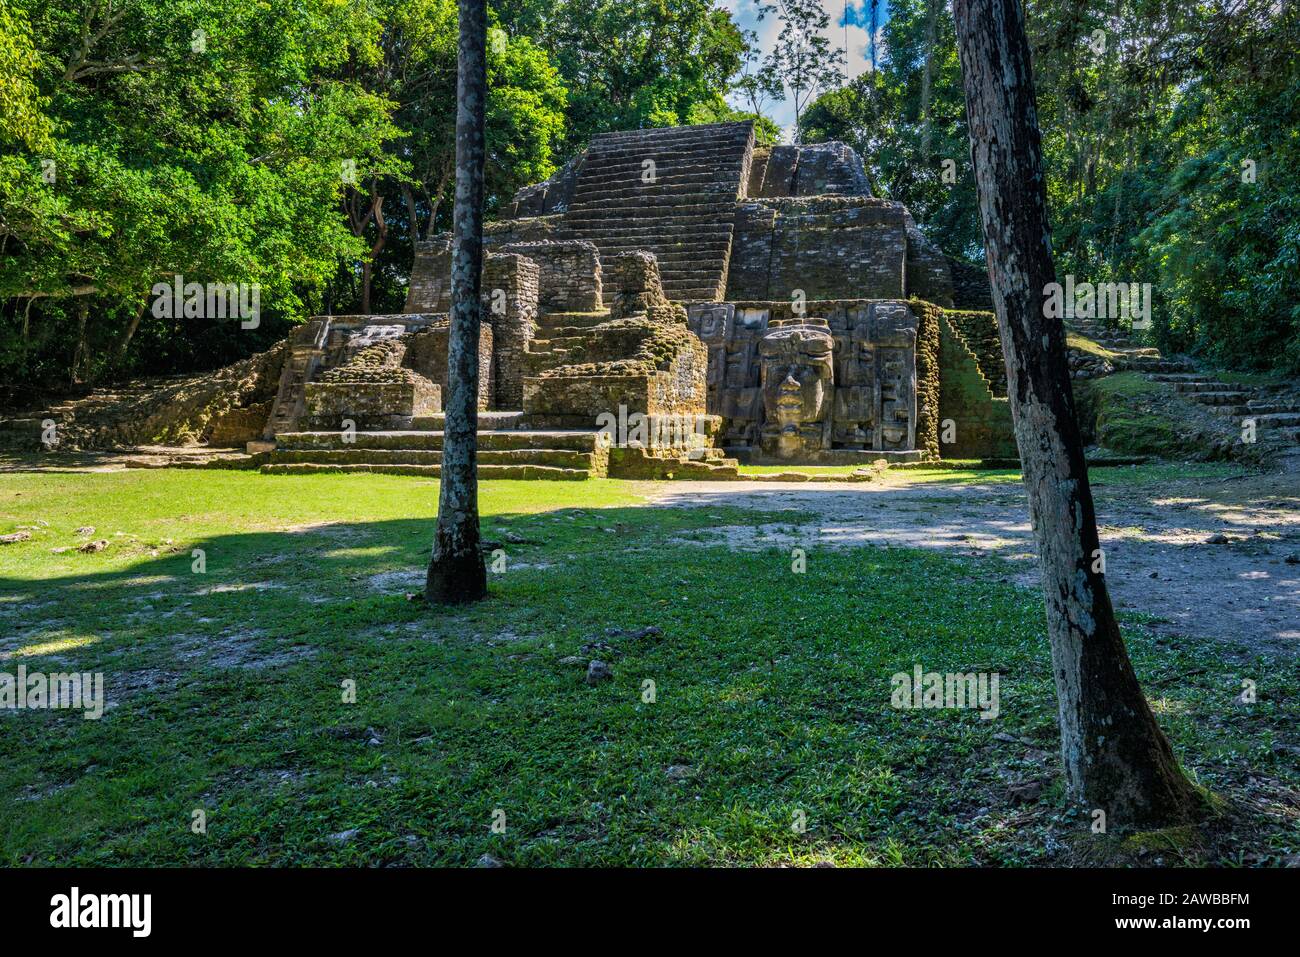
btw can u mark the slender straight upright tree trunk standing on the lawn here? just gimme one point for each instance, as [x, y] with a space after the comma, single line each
[457, 571]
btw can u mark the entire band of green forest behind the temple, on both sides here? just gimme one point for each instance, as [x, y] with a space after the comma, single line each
[307, 148]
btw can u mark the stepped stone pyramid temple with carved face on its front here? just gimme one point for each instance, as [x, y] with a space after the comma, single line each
[670, 304]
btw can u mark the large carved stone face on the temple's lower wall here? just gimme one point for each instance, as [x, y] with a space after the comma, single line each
[798, 374]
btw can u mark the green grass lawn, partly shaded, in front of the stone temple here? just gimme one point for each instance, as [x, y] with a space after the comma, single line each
[772, 690]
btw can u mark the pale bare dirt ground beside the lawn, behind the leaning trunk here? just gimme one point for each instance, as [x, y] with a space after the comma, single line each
[1163, 545]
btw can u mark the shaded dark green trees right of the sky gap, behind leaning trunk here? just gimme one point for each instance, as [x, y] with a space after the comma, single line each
[1169, 135]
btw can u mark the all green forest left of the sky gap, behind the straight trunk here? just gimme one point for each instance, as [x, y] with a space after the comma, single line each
[301, 148]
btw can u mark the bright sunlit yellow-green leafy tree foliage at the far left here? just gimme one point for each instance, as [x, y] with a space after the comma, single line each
[203, 138]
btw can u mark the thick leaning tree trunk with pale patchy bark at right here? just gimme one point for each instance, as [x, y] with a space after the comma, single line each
[1116, 757]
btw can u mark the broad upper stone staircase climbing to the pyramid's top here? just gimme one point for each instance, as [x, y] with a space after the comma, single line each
[686, 215]
